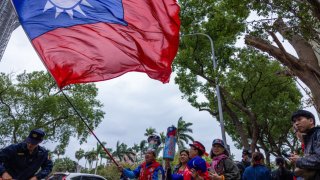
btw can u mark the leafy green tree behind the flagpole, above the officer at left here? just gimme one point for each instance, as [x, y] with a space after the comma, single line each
[32, 100]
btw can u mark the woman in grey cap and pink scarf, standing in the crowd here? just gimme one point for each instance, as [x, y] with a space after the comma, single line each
[222, 166]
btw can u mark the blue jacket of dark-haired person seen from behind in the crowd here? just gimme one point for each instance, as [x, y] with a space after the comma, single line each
[257, 172]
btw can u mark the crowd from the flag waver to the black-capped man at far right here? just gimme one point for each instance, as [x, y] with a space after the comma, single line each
[192, 166]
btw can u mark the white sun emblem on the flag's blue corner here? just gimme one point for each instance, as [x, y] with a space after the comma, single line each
[67, 6]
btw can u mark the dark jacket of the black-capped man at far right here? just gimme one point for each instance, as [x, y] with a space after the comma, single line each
[311, 158]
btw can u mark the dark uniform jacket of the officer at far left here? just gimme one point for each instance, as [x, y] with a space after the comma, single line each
[20, 164]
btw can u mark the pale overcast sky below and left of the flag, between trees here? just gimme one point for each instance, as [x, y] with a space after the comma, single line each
[132, 103]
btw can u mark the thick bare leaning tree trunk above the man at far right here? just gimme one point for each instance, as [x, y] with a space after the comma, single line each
[306, 67]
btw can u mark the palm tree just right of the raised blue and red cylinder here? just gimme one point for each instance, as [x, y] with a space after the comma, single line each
[183, 128]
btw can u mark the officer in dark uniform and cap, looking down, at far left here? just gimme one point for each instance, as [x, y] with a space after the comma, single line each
[23, 160]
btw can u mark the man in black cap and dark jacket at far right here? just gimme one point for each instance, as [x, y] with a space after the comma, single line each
[304, 121]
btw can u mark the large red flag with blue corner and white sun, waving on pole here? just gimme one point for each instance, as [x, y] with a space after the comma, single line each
[93, 40]
